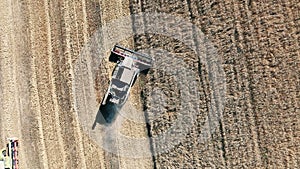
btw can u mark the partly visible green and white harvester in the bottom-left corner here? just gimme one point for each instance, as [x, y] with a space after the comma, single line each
[9, 155]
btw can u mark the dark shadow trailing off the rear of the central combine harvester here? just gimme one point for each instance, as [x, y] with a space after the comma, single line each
[106, 114]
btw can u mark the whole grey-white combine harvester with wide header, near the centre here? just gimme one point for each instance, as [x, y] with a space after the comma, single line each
[129, 65]
